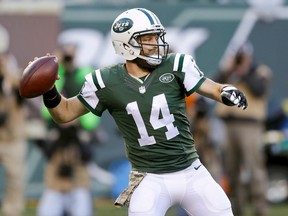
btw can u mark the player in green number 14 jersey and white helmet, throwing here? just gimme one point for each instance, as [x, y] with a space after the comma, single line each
[146, 97]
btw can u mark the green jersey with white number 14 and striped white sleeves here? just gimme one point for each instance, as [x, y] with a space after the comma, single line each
[150, 113]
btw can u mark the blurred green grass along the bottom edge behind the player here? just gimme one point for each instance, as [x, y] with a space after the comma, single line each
[106, 207]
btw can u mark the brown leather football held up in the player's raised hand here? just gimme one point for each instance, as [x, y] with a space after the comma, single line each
[39, 76]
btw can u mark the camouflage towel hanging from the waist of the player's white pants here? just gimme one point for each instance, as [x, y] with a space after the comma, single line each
[123, 199]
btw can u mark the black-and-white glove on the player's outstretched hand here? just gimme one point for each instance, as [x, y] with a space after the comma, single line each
[231, 96]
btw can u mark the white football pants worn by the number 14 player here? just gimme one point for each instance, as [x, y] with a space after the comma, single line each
[193, 189]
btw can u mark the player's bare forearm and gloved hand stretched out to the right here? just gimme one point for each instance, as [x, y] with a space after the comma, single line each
[226, 94]
